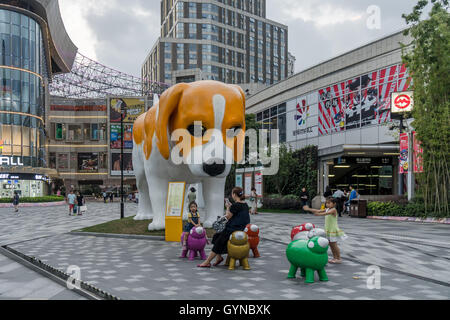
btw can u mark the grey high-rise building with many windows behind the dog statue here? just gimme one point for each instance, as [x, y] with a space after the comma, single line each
[225, 40]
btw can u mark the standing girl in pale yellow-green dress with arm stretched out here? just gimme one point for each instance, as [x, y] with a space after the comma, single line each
[334, 234]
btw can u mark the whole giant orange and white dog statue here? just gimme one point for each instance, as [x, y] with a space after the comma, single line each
[203, 123]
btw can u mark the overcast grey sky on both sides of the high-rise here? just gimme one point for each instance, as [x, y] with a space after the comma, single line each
[120, 33]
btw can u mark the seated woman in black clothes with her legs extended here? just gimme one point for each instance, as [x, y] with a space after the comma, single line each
[238, 217]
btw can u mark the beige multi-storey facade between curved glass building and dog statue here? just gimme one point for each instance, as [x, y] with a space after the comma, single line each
[85, 140]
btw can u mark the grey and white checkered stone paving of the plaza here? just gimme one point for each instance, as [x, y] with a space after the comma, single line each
[414, 260]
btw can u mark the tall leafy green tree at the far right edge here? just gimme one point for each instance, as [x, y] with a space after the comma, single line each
[428, 60]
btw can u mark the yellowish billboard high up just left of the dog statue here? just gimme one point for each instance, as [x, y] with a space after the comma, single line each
[133, 107]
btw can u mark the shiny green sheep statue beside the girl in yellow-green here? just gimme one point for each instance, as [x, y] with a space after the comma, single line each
[308, 255]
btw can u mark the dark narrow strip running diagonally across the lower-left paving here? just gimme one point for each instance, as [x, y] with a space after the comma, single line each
[86, 290]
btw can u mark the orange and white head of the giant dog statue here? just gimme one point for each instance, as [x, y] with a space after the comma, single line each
[202, 123]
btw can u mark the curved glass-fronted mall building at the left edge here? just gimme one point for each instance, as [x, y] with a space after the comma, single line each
[33, 46]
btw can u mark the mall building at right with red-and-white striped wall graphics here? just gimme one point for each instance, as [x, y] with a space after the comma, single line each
[343, 106]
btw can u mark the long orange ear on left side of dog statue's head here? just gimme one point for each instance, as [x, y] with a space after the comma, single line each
[168, 103]
